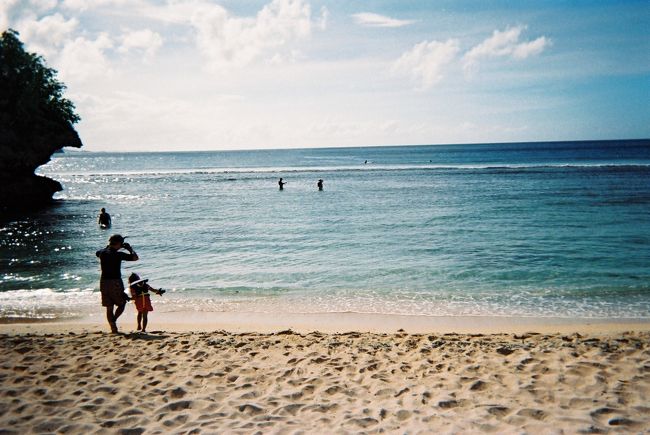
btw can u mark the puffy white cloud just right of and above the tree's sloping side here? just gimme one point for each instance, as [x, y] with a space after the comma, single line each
[83, 58]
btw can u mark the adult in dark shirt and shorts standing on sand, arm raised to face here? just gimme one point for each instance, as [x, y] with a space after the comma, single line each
[110, 283]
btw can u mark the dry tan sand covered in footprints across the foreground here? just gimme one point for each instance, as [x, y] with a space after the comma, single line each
[285, 382]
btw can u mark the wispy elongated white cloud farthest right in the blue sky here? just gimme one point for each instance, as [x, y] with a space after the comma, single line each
[502, 44]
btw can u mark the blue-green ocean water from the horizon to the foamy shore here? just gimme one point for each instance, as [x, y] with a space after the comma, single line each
[520, 229]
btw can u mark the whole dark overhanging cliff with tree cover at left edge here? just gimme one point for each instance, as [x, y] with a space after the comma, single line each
[35, 121]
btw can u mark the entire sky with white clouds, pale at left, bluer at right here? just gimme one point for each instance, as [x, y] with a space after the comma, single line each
[167, 75]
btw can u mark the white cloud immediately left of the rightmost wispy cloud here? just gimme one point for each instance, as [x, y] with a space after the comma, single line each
[426, 61]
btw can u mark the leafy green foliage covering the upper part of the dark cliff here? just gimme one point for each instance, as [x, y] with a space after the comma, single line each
[29, 90]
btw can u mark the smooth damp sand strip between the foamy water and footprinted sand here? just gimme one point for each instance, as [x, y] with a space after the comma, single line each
[256, 322]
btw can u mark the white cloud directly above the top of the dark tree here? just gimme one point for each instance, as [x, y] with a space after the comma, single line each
[47, 35]
